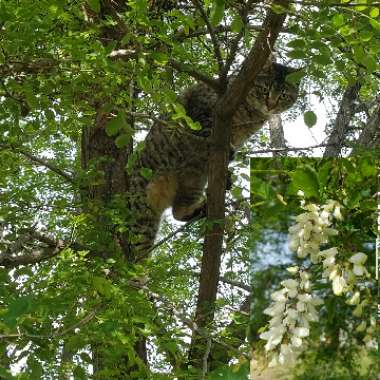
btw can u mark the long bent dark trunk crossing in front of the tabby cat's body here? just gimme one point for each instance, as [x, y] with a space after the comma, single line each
[225, 108]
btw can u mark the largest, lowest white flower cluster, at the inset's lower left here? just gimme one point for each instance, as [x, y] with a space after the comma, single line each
[292, 310]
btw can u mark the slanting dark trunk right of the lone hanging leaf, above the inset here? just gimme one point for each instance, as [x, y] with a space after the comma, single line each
[342, 121]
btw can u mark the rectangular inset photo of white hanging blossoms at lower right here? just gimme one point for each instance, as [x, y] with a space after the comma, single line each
[314, 266]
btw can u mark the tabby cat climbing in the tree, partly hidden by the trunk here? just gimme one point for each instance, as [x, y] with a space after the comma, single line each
[178, 157]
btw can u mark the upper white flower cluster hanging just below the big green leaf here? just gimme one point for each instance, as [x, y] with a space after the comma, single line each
[313, 229]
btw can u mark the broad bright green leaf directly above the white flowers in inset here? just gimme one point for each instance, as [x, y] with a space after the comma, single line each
[305, 178]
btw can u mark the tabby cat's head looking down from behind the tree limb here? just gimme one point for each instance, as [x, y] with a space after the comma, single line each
[271, 93]
